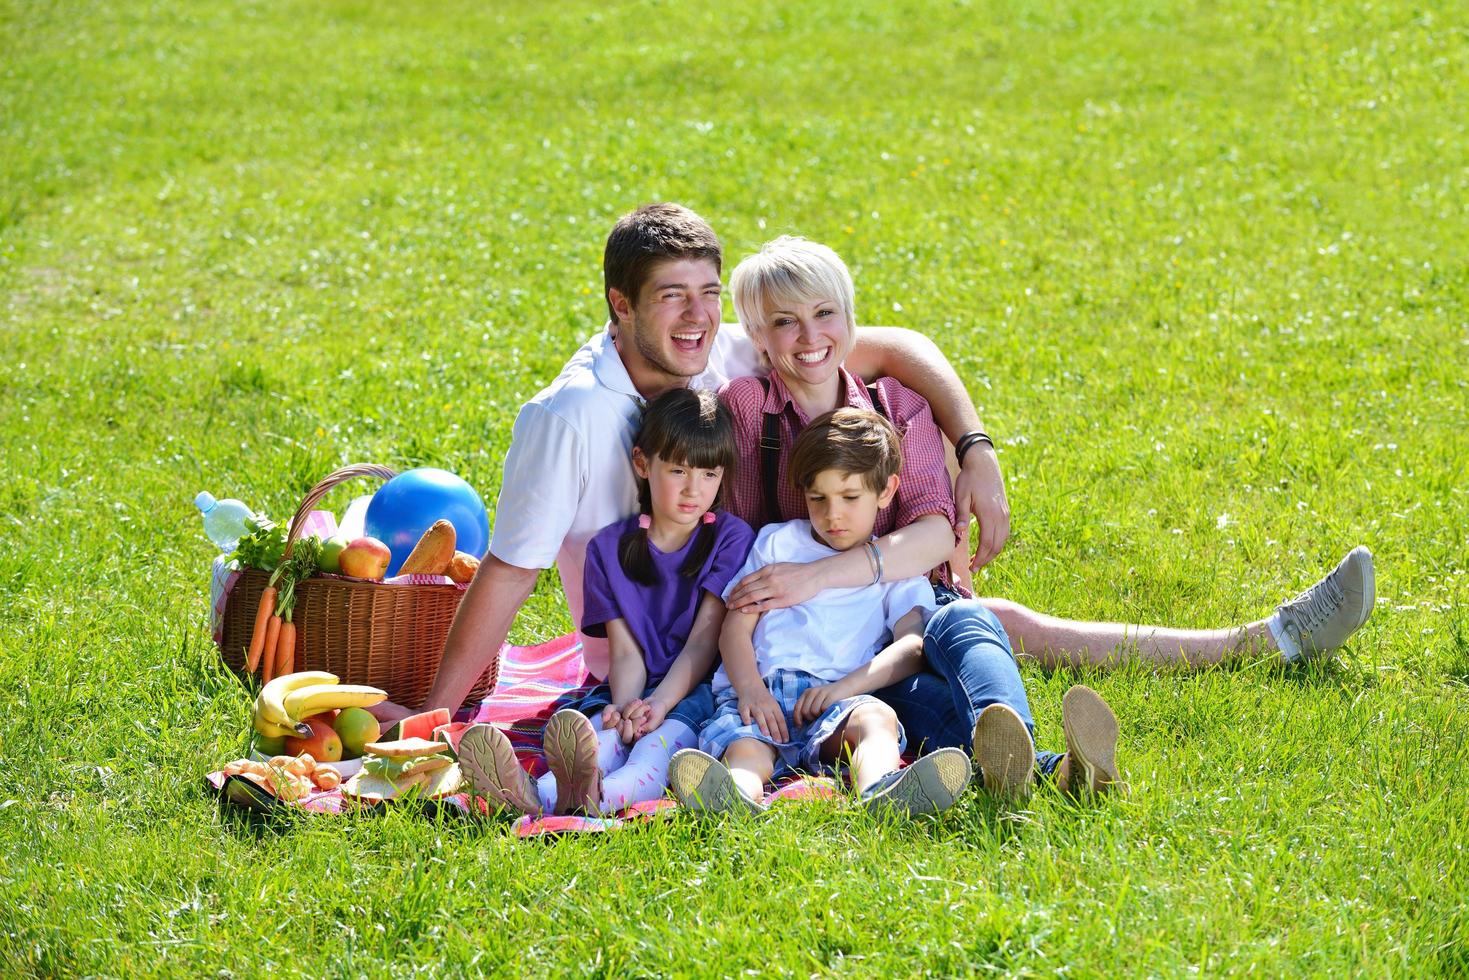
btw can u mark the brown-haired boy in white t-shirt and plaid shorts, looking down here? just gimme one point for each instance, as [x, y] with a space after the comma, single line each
[795, 687]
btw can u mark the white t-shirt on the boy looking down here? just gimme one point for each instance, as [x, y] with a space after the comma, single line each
[834, 633]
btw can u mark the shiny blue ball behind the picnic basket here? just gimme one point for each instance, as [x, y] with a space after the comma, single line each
[409, 505]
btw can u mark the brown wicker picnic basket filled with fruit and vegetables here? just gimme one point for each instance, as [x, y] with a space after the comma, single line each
[390, 637]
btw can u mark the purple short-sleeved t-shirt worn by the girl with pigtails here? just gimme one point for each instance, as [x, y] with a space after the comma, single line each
[659, 616]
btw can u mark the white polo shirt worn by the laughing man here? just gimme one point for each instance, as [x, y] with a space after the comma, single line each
[569, 469]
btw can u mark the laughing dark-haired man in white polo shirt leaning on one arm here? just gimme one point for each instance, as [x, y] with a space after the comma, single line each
[568, 472]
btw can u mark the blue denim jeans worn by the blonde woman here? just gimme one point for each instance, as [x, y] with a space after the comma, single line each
[970, 668]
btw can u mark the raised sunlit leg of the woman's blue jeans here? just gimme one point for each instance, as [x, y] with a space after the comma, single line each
[969, 649]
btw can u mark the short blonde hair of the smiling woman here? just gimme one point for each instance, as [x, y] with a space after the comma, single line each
[793, 270]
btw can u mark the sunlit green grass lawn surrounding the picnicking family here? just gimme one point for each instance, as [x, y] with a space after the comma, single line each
[1204, 267]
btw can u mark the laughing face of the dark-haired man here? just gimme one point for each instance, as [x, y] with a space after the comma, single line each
[666, 337]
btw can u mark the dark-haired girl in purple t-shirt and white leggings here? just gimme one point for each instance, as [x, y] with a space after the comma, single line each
[653, 587]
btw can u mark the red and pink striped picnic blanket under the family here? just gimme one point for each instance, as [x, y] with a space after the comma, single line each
[535, 682]
